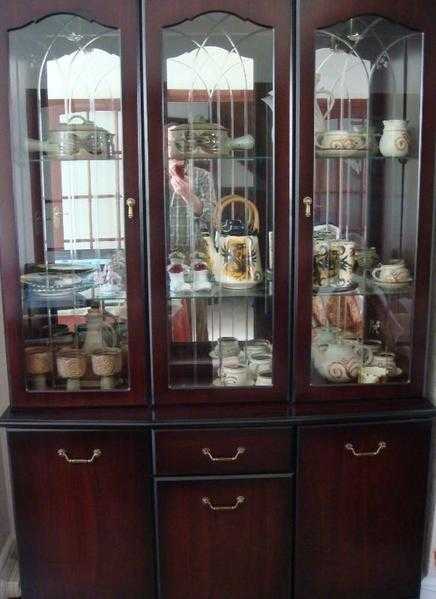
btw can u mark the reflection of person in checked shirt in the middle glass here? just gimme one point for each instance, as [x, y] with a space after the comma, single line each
[192, 203]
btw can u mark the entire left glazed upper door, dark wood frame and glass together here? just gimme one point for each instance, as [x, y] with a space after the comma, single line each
[71, 252]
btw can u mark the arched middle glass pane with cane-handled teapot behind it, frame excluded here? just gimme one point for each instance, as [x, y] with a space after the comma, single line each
[219, 189]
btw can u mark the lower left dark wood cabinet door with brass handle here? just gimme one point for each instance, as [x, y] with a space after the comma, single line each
[83, 514]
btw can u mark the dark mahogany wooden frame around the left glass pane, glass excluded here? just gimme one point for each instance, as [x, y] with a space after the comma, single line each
[17, 15]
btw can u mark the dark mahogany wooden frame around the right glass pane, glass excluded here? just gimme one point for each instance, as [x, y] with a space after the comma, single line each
[312, 15]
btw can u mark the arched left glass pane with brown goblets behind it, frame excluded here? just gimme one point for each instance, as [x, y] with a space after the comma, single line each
[65, 81]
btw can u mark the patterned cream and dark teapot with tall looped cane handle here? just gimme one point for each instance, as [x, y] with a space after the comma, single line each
[234, 255]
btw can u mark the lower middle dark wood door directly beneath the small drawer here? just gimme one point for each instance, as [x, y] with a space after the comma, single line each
[225, 539]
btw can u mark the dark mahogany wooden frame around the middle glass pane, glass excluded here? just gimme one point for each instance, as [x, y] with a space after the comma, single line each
[165, 13]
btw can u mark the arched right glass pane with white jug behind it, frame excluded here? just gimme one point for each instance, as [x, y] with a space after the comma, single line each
[366, 190]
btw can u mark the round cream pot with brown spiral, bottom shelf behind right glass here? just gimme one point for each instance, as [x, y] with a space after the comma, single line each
[337, 362]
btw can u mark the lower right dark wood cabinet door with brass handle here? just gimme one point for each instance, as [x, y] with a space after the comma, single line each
[361, 496]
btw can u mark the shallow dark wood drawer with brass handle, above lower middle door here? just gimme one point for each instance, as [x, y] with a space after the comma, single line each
[232, 451]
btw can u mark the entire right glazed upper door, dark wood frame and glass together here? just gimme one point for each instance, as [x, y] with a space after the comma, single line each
[365, 200]
